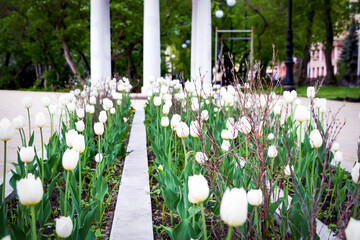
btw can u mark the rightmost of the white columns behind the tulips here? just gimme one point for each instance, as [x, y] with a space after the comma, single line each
[203, 41]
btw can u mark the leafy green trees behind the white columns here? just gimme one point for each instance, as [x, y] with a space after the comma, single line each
[47, 43]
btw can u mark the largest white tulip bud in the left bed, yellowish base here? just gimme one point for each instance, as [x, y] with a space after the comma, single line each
[30, 190]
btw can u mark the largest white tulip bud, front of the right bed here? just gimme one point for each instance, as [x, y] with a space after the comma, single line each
[234, 207]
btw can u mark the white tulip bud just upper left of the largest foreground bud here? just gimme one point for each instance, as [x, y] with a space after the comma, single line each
[198, 188]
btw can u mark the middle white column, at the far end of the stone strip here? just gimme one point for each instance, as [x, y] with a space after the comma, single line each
[151, 57]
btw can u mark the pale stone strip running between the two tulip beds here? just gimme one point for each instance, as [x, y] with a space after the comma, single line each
[133, 216]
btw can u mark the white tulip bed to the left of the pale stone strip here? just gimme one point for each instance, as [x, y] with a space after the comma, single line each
[68, 189]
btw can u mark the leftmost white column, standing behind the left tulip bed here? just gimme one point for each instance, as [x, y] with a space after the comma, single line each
[100, 45]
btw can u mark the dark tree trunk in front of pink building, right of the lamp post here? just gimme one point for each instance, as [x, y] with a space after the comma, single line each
[329, 40]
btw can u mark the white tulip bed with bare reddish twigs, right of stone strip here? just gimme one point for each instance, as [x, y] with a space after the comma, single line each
[222, 155]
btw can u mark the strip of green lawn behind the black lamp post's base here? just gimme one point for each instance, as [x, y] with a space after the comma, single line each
[331, 92]
